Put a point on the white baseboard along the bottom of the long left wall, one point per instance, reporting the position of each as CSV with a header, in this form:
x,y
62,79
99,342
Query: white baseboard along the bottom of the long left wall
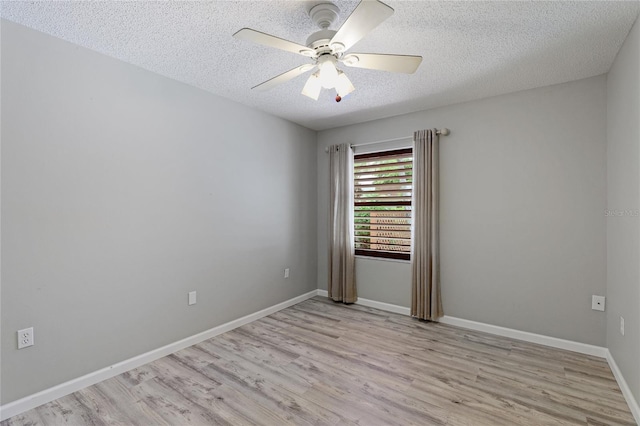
x,y
32,401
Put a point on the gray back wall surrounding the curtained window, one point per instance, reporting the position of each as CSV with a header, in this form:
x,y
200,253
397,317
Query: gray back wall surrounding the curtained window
x,y
523,191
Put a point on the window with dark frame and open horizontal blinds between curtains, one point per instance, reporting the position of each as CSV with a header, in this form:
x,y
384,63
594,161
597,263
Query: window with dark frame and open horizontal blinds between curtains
x,y
382,210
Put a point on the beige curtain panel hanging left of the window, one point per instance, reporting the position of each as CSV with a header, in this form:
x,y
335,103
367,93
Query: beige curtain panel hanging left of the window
x,y
342,284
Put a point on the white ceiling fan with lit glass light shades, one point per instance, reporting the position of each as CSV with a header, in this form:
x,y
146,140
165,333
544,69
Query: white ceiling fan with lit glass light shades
x,y
327,48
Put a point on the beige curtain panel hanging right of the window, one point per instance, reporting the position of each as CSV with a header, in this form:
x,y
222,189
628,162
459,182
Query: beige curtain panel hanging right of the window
x,y
425,251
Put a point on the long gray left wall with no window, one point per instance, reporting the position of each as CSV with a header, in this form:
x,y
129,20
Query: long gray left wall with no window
x,y
123,190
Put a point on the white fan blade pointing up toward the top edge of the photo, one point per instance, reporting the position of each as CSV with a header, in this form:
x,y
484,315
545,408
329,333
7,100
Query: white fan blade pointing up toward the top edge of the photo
x,y
365,17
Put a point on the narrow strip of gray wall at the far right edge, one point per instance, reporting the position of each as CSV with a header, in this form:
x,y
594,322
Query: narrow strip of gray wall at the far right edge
x,y
623,197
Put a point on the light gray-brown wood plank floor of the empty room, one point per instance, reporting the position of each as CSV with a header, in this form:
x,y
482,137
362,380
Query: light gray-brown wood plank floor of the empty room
x,y
329,364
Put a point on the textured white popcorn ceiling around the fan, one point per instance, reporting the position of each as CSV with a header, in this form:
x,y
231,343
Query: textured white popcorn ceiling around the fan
x,y
471,50
